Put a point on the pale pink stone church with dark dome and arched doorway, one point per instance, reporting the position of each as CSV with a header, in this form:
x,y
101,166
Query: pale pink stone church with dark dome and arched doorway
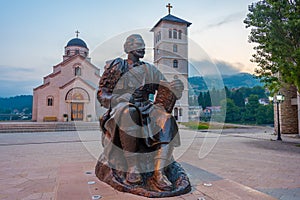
x,y
69,92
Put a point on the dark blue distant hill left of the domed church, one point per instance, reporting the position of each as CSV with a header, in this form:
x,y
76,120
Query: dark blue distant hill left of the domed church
x,y
20,103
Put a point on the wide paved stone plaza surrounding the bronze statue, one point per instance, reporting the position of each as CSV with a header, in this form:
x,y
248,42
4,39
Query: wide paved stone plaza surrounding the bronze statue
x,y
238,163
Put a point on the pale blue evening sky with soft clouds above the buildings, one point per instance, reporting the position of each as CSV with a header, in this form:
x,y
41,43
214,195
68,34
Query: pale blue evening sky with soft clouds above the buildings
x,y
34,33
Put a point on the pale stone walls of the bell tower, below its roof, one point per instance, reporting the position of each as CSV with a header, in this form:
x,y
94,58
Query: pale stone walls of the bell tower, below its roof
x,y
164,56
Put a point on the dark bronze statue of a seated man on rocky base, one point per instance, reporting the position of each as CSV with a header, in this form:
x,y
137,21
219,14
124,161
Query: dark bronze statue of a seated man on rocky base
x,y
138,134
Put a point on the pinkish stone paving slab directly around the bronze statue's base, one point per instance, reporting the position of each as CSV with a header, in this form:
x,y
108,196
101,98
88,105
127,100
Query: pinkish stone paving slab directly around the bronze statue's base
x,y
73,183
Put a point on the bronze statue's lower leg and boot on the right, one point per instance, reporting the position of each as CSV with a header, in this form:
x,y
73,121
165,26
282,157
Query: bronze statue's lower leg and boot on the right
x,y
162,159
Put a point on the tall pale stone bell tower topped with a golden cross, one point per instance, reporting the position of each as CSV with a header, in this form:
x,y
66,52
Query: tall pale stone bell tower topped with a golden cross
x,y
171,56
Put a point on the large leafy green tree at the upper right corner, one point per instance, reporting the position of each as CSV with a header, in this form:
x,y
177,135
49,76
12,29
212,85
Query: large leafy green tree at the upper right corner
x,y
275,27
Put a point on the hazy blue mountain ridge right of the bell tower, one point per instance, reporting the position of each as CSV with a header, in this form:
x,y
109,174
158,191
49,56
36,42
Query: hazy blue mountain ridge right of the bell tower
x,y
198,83
